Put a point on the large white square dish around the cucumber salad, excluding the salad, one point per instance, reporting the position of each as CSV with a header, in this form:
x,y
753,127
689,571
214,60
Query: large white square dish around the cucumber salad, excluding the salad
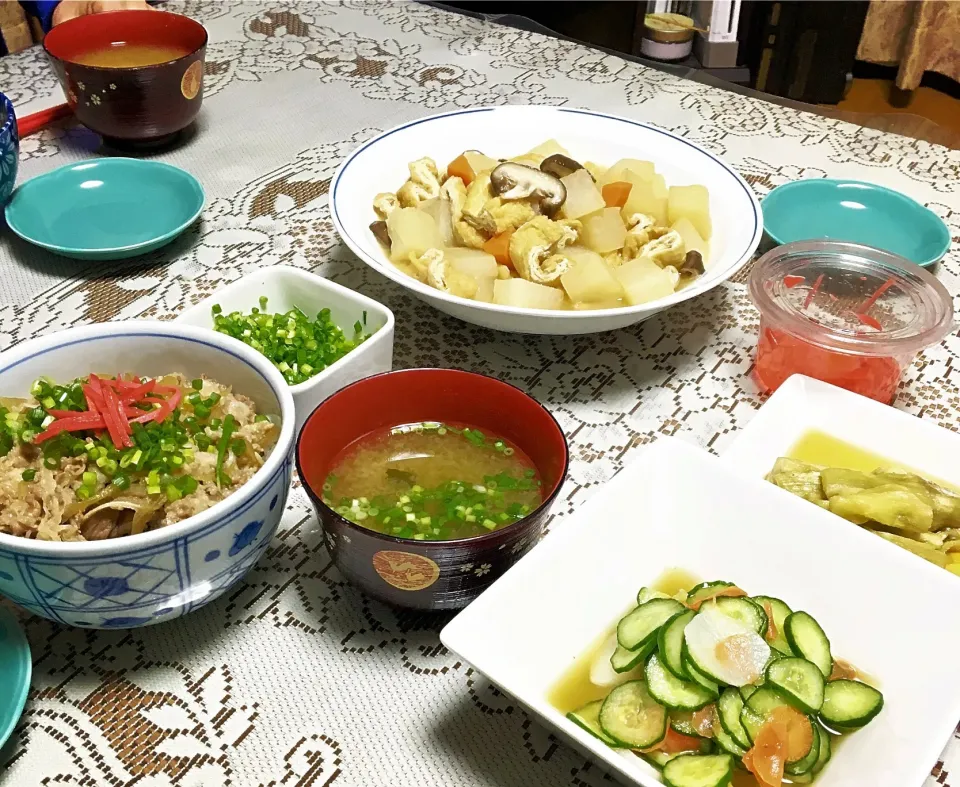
x,y
883,610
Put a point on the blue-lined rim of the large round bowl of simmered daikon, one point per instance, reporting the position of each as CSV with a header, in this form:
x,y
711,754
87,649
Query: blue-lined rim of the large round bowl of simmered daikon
x,y
672,300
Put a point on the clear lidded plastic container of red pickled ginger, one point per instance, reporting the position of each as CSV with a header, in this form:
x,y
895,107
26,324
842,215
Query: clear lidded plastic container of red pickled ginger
x,y
847,314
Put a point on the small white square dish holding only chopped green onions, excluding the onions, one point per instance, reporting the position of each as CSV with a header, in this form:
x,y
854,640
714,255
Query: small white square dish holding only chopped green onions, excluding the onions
x,y
286,288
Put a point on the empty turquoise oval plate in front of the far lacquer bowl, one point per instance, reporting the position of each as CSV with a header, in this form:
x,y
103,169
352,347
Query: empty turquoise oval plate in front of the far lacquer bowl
x,y
105,209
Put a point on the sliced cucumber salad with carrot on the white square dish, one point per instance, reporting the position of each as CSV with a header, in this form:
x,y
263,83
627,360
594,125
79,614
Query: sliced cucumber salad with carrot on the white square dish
x,y
711,681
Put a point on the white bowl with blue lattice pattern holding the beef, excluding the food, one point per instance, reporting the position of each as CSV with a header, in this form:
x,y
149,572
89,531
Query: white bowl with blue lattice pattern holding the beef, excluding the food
x,y
162,574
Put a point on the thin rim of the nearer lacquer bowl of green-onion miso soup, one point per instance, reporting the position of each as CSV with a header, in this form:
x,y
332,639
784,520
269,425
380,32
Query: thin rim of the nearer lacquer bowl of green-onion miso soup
x,y
457,542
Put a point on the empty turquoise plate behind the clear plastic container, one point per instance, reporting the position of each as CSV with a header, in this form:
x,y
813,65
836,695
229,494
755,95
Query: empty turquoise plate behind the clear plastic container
x,y
849,210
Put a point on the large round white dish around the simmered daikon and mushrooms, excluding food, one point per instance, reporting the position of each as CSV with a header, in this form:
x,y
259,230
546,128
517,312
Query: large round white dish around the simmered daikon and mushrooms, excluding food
x,y
381,165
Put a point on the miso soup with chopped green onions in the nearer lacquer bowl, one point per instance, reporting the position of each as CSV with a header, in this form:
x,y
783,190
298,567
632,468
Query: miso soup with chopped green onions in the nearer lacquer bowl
x,y
432,481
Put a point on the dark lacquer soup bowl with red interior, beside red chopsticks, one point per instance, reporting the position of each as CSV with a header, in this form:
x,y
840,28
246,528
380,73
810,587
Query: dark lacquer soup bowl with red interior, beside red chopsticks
x,y
144,104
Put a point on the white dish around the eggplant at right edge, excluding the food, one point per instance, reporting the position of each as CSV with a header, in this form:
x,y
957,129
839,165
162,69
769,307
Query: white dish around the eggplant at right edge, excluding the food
x,y
803,404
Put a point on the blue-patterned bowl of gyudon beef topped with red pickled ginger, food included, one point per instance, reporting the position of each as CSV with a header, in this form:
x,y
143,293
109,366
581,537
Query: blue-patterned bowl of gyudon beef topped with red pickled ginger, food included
x,y
143,470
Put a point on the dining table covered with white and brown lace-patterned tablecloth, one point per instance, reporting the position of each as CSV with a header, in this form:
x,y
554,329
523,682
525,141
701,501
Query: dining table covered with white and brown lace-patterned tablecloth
x,y
294,677
